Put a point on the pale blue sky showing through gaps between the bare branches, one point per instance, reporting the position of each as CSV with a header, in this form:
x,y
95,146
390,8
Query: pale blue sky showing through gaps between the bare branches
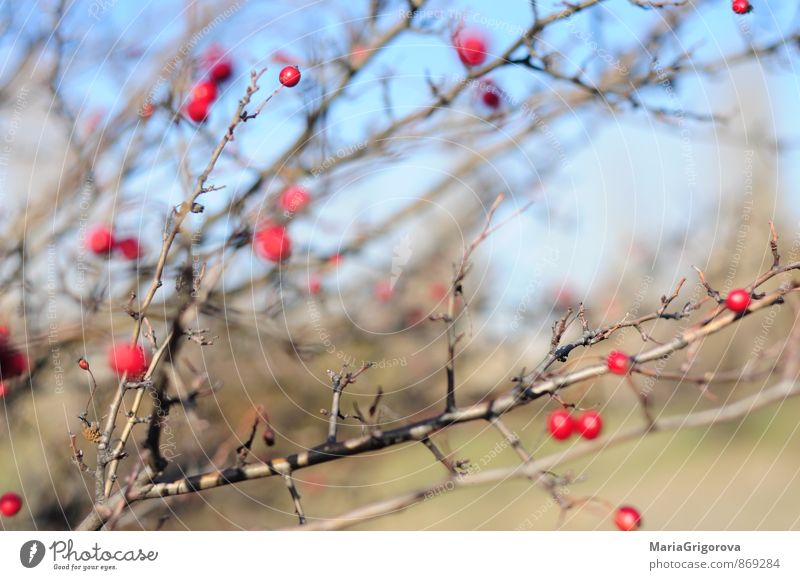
x,y
627,177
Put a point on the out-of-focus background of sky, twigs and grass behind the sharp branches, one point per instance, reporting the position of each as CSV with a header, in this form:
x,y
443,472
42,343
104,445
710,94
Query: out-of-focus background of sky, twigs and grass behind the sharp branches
x,y
646,140
